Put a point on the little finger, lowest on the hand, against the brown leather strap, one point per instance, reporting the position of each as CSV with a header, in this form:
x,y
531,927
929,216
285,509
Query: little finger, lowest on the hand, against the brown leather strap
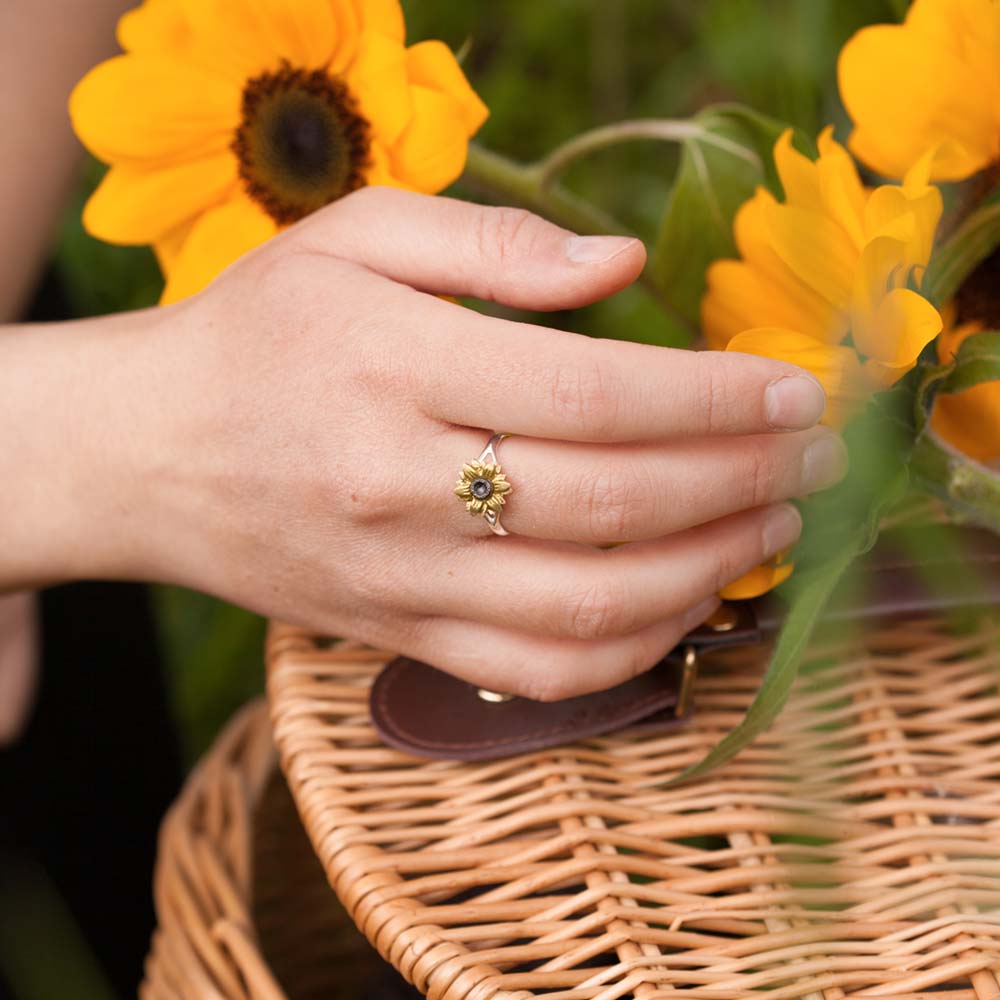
x,y
545,669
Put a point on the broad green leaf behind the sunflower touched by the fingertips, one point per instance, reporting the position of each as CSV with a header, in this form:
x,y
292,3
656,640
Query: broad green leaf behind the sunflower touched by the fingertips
x,y
727,157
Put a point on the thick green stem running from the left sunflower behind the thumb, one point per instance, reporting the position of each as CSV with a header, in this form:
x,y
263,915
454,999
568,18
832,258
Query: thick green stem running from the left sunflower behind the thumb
x,y
522,184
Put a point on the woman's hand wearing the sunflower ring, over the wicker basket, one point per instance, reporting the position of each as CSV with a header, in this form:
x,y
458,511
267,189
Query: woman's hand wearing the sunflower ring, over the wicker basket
x,y
290,440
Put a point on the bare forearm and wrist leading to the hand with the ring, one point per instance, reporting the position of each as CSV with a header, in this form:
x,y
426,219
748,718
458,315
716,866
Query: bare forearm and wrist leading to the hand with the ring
x,y
73,449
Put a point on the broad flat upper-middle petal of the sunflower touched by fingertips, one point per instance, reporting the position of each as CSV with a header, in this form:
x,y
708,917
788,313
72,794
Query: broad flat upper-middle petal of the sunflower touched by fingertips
x,y
815,249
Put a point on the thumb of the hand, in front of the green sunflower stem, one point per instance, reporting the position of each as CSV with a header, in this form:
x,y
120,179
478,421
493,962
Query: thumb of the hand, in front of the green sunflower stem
x,y
451,247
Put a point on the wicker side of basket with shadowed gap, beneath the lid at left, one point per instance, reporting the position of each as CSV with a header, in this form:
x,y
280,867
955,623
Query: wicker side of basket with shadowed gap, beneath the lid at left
x,y
244,910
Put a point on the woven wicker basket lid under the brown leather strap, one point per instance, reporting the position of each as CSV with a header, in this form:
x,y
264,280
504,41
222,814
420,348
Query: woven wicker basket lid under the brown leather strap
x,y
853,851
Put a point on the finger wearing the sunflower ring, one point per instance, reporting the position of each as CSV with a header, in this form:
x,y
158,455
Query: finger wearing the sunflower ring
x,y
598,494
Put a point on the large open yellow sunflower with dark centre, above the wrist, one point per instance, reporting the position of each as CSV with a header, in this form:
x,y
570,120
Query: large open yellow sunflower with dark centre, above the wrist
x,y
225,121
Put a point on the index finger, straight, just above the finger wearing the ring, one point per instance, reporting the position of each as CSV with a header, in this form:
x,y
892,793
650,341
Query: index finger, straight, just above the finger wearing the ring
x,y
526,379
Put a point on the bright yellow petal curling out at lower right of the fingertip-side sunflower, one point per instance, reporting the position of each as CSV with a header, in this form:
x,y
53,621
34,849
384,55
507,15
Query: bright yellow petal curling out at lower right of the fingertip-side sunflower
x,y
903,325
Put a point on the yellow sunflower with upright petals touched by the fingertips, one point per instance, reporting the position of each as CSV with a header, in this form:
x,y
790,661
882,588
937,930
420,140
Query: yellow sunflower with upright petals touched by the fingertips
x,y
827,280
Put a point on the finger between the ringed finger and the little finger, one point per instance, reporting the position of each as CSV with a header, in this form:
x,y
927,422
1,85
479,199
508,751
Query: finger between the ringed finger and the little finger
x,y
571,591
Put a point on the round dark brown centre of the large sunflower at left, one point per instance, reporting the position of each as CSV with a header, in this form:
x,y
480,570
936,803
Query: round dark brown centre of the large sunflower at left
x,y
301,143
